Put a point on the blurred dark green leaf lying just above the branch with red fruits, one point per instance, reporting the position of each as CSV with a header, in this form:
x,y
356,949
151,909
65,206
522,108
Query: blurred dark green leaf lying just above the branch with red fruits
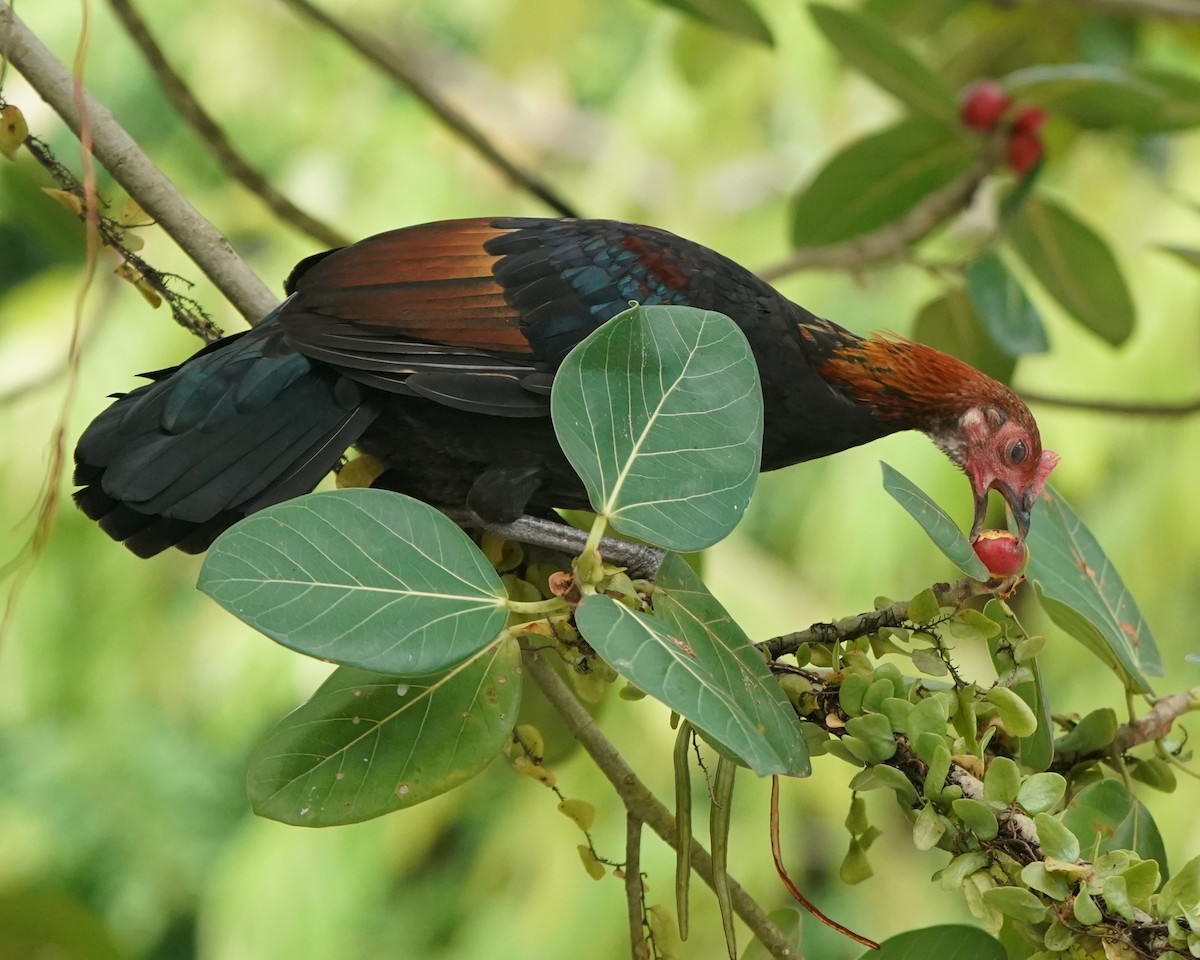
x,y
879,179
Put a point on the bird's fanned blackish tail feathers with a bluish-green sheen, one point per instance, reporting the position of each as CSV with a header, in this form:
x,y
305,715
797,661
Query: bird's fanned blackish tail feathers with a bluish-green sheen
x,y
242,425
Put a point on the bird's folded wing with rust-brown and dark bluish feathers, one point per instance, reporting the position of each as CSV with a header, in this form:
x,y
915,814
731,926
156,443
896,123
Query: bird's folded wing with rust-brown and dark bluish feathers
x,y
476,314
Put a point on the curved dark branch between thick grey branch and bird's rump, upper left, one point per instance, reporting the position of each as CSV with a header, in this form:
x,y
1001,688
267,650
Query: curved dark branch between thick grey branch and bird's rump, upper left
x,y
207,129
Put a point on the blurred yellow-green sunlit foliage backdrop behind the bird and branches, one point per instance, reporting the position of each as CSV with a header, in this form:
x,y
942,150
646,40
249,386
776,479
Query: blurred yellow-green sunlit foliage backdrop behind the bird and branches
x,y
130,704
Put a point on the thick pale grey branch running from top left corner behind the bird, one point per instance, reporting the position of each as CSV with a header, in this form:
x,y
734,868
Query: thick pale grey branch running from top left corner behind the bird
x,y
135,172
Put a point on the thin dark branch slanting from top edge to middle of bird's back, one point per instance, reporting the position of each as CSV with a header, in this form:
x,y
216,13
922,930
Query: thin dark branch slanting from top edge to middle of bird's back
x,y
395,64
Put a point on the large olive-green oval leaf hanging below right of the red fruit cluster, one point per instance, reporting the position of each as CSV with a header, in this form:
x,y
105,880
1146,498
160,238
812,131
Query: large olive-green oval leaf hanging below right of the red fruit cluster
x,y
1077,268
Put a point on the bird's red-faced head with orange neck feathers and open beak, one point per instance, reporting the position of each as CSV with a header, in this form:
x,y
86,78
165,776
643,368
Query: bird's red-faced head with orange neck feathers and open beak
x,y
979,423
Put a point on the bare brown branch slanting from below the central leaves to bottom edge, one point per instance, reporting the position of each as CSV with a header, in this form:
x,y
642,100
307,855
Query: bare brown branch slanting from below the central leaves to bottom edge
x,y
641,802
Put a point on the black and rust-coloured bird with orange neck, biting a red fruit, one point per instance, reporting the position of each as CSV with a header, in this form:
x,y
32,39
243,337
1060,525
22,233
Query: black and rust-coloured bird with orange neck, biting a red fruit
x,y
435,347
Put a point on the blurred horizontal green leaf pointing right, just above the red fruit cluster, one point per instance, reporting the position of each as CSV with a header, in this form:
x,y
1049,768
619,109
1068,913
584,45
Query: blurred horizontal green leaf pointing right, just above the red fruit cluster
x,y
1091,95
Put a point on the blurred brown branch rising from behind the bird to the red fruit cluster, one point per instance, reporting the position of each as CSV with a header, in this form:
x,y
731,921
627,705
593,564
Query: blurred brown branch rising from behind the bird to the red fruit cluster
x,y
893,241
